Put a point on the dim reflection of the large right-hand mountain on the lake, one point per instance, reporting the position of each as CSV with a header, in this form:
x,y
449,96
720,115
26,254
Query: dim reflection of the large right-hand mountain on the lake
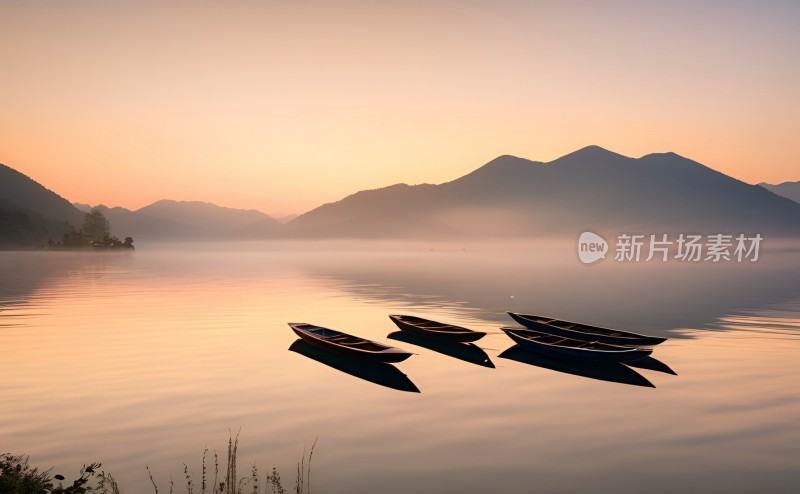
x,y
474,287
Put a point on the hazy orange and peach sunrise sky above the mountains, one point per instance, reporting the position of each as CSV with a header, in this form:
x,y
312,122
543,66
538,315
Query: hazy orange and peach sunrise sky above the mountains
x,y
283,106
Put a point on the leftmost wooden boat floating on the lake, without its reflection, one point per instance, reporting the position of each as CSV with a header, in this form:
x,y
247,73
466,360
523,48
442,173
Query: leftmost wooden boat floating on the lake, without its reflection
x,y
346,344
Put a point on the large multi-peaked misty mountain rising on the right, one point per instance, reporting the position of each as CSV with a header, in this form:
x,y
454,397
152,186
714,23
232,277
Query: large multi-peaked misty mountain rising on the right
x,y
591,188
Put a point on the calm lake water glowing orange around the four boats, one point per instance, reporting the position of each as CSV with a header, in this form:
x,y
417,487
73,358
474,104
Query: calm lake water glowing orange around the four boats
x,y
147,357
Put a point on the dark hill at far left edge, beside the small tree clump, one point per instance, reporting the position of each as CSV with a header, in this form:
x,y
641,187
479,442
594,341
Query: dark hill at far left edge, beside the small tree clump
x,y
31,214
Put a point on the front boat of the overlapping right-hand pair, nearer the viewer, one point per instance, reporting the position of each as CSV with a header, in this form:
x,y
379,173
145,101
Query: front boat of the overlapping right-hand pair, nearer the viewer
x,y
558,346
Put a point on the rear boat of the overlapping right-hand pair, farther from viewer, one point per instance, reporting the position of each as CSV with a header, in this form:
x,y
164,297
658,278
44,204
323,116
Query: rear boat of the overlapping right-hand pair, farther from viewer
x,y
584,332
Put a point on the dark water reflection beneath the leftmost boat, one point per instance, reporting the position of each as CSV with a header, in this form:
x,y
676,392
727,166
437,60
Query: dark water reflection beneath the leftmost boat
x,y
375,372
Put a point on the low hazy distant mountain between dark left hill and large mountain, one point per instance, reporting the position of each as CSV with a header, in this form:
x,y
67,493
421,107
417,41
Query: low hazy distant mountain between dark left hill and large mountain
x,y
168,220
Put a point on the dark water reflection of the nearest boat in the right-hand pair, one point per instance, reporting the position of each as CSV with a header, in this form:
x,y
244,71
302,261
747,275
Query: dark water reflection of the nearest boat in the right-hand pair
x,y
603,371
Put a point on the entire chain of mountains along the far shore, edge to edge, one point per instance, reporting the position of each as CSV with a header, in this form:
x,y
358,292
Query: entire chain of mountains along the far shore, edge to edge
x,y
591,188
